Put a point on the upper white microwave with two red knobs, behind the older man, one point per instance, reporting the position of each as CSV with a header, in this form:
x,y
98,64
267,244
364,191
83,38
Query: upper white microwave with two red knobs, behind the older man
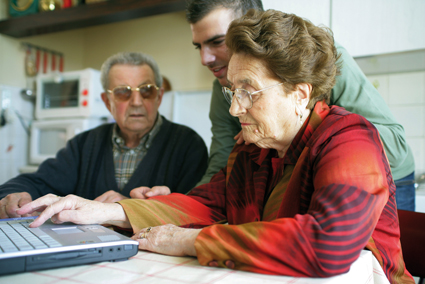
x,y
70,94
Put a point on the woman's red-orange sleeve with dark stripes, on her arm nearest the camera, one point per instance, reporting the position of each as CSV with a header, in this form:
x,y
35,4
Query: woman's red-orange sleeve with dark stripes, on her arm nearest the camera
x,y
350,192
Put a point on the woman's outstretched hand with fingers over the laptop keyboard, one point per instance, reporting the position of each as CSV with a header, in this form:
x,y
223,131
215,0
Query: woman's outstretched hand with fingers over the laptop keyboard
x,y
76,210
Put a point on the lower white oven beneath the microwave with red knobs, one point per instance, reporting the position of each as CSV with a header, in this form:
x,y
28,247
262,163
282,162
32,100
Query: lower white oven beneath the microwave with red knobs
x,y
50,135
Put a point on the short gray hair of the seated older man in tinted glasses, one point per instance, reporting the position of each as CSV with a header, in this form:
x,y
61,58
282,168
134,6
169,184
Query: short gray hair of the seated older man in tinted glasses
x,y
129,58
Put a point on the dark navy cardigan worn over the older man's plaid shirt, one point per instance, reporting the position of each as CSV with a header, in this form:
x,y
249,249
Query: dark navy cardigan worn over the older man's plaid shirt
x,y
177,158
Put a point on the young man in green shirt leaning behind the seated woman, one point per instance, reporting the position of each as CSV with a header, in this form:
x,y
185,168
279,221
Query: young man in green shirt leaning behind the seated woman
x,y
209,20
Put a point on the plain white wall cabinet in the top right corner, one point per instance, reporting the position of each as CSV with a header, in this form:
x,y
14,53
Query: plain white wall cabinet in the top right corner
x,y
370,27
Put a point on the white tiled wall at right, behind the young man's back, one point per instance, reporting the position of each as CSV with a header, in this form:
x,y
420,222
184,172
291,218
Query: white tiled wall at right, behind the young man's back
x,y
400,79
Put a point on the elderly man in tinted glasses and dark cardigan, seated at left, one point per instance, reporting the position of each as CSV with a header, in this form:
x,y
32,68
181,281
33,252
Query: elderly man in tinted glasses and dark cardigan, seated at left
x,y
123,159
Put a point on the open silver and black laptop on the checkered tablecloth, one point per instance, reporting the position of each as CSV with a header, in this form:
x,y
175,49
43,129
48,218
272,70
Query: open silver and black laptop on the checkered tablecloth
x,y
58,245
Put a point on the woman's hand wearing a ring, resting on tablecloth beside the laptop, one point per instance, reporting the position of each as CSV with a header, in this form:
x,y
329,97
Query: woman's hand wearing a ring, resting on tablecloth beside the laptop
x,y
168,239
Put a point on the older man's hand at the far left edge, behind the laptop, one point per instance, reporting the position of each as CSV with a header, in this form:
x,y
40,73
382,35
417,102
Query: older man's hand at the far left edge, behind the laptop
x,y
13,202
